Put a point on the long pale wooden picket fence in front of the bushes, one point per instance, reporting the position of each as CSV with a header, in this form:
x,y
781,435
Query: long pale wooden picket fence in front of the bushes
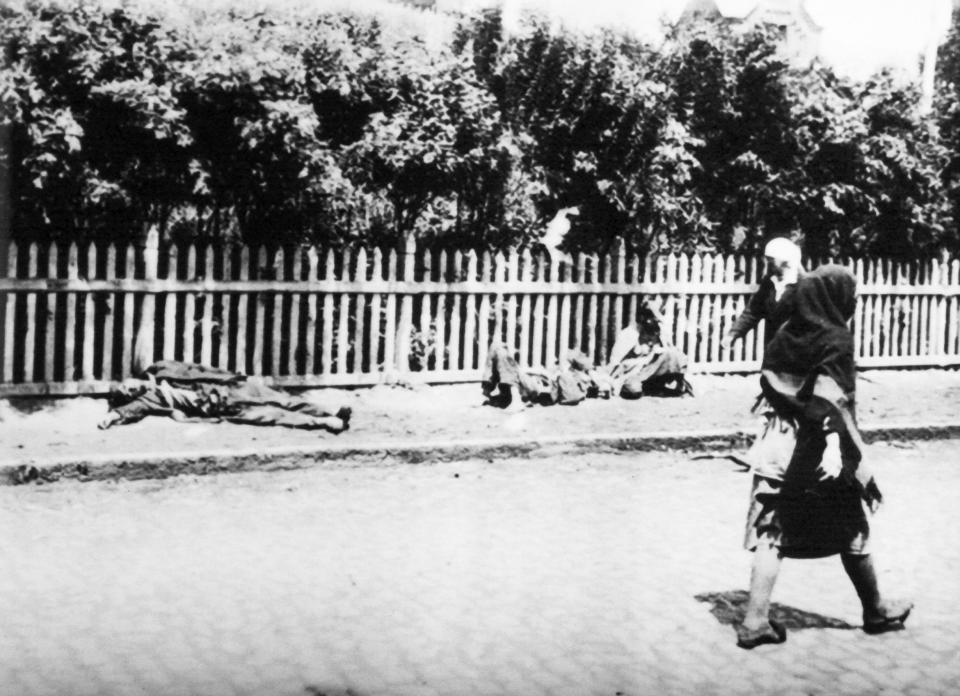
x,y
75,320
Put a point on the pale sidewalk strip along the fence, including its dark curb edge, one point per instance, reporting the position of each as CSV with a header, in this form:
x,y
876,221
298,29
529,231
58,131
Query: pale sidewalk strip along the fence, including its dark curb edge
x,y
61,438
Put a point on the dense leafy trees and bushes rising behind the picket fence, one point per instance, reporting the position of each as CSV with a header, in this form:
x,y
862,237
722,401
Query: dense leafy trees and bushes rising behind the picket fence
x,y
284,126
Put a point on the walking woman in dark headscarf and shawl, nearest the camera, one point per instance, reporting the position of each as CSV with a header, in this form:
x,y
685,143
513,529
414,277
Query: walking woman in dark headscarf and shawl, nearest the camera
x,y
812,492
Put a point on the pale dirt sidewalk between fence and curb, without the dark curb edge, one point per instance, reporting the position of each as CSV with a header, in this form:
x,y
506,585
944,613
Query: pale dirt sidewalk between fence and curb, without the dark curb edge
x,y
39,431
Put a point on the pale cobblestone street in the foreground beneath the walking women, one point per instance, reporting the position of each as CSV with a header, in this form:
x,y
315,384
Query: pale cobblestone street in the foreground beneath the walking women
x,y
601,574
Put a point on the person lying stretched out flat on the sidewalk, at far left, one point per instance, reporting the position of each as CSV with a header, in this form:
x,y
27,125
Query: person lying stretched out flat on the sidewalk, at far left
x,y
188,392
